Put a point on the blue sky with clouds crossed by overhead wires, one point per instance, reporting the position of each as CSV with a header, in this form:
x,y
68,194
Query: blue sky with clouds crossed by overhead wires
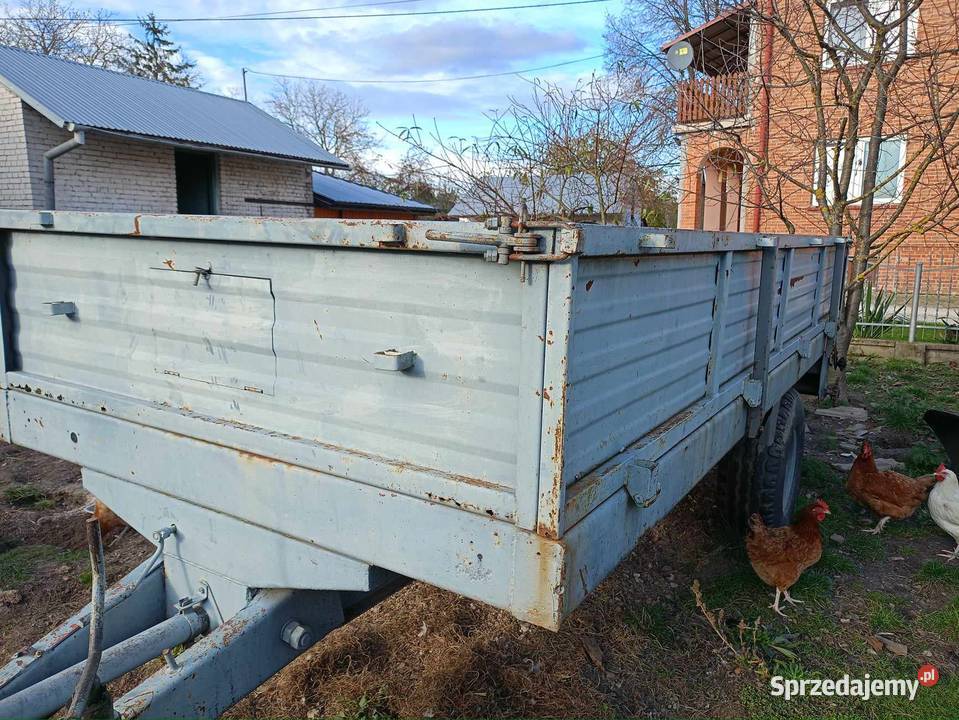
x,y
390,48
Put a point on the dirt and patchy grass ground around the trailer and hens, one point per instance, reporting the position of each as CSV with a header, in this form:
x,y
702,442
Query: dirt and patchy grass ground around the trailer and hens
x,y
640,645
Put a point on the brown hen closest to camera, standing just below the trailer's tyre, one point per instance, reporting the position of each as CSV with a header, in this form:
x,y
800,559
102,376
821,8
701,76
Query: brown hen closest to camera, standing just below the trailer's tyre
x,y
780,555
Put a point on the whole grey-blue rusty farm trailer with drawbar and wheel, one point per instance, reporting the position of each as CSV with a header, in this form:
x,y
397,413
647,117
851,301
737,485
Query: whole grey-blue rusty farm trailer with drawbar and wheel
x,y
305,414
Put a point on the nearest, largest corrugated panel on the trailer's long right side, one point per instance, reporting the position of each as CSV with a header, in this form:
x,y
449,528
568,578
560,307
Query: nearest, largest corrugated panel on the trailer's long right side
x,y
638,352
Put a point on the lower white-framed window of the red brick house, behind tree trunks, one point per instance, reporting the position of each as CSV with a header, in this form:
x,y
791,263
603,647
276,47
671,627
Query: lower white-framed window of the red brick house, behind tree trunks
x,y
889,175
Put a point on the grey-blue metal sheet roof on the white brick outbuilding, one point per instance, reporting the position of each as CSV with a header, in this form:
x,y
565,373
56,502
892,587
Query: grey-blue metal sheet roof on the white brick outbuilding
x,y
68,92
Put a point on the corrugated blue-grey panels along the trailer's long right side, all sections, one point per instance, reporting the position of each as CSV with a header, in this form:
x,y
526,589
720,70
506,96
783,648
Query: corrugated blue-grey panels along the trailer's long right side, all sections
x,y
641,337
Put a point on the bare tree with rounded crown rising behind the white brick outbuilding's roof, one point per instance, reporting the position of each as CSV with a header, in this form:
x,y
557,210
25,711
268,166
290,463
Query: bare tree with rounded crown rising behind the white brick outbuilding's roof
x,y
329,117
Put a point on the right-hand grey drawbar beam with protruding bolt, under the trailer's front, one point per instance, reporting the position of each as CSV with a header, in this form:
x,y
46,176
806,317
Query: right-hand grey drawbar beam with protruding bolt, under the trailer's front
x,y
238,656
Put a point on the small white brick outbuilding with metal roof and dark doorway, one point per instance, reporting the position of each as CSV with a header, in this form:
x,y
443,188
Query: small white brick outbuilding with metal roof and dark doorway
x,y
146,146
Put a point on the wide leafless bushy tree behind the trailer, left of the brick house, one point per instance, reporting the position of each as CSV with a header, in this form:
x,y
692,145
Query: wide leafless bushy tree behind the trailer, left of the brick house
x,y
563,152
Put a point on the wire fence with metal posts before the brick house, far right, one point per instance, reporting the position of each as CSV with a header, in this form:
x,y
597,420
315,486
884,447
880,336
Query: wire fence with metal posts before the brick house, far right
x,y
913,300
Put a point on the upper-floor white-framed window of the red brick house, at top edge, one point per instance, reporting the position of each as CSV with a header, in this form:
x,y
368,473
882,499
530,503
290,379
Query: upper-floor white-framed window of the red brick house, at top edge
x,y
852,37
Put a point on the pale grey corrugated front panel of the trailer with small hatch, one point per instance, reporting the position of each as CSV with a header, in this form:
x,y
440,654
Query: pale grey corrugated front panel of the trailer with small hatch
x,y
281,338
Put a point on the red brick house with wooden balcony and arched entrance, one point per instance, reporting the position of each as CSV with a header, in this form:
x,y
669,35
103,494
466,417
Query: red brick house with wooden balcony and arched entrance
x,y
719,115
